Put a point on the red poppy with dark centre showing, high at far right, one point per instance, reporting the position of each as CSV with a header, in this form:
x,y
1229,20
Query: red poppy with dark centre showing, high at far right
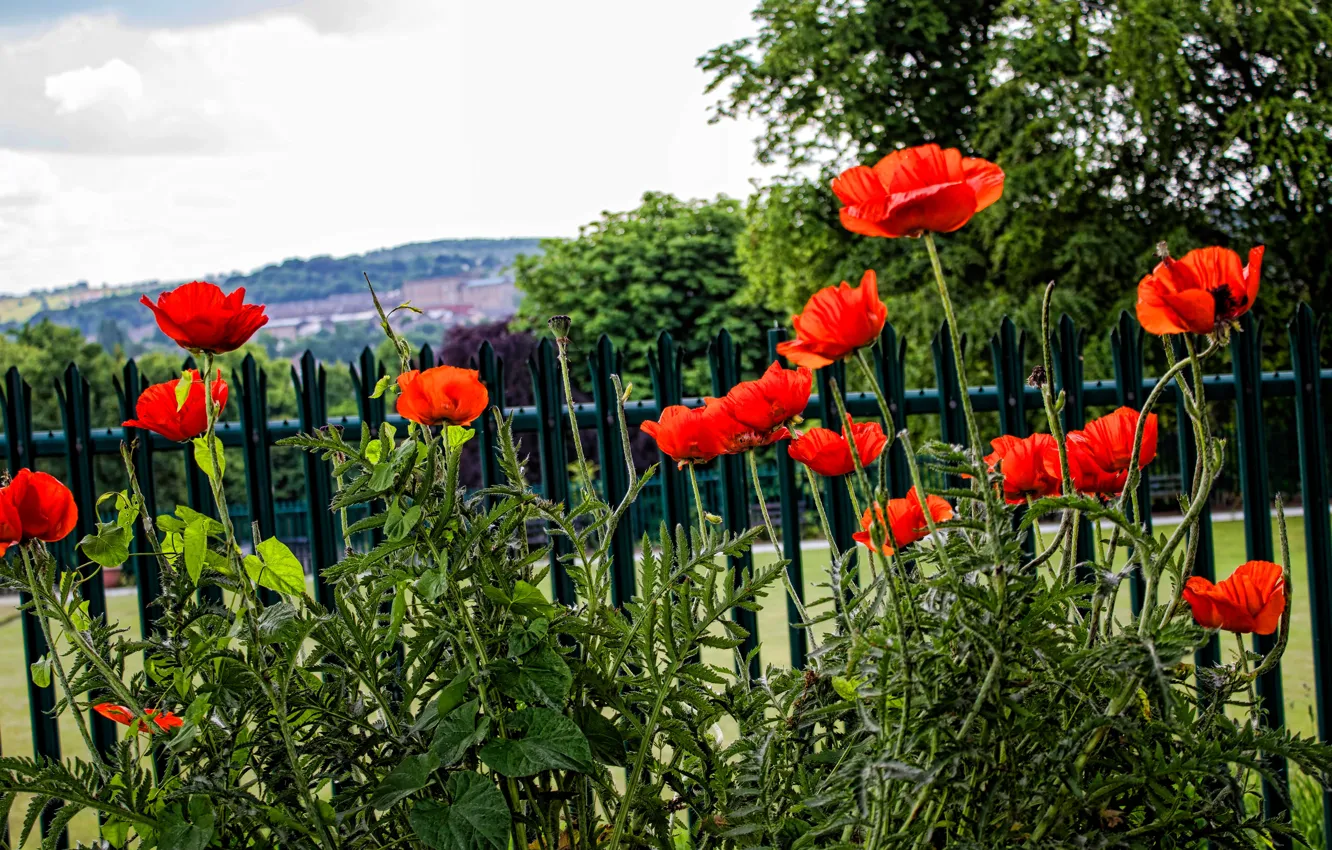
x,y
1202,294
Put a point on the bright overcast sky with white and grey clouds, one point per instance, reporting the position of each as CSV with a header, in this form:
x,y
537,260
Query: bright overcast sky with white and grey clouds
x,y
158,139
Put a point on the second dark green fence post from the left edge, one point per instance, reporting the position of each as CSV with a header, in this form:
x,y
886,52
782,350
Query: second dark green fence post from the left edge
x,y
74,395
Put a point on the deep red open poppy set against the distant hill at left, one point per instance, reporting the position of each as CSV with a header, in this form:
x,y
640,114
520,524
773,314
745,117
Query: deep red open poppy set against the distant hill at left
x,y
202,319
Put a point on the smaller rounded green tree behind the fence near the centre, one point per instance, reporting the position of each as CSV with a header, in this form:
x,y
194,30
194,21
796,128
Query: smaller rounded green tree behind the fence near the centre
x,y
667,266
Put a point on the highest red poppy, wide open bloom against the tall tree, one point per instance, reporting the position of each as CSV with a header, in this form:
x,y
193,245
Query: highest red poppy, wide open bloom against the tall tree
x,y
917,190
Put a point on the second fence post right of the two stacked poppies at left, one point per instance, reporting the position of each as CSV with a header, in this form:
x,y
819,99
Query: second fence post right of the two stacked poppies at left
x,y
312,410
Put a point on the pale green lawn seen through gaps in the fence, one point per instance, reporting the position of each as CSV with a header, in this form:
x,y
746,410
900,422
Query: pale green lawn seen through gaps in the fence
x,y
1297,667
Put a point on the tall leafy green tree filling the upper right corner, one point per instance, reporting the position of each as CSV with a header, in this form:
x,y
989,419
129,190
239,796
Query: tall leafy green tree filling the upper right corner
x,y
1120,125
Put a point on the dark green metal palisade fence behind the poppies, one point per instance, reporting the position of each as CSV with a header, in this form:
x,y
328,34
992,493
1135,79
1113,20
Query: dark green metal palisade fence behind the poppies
x,y
1006,404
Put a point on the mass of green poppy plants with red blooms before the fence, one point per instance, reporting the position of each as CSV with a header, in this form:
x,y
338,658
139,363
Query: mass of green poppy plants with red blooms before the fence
x,y
970,684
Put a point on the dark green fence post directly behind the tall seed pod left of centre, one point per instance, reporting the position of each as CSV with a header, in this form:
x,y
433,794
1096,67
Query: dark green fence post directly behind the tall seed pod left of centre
x,y
551,450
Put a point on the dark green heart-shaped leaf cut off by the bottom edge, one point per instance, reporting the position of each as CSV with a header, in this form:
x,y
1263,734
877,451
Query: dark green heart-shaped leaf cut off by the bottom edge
x,y
478,817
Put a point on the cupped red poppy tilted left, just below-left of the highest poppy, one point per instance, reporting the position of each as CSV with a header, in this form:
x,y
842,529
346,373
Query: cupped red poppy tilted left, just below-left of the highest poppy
x,y
836,322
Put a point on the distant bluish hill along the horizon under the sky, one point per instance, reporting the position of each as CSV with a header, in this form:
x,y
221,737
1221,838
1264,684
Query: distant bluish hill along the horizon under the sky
x,y
117,311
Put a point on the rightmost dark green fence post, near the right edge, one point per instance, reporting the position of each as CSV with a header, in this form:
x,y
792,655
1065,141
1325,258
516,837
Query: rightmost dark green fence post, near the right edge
x,y
1306,334
